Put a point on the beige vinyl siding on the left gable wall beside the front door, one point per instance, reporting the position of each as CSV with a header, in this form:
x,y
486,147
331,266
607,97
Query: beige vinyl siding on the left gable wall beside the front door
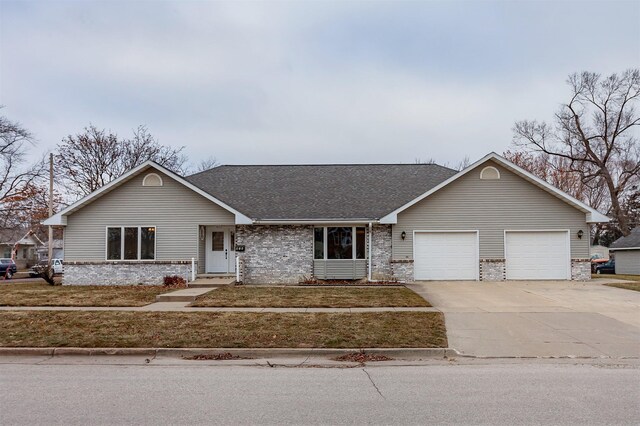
x,y
175,211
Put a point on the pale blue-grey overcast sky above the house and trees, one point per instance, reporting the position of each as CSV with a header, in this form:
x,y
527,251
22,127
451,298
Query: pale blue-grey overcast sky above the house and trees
x,y
305,82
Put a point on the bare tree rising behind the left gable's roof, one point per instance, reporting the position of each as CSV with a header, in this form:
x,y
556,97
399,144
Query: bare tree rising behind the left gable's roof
x,y
93,158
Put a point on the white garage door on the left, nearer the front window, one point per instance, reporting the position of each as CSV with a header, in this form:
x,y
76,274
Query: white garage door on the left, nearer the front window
x,y
446,256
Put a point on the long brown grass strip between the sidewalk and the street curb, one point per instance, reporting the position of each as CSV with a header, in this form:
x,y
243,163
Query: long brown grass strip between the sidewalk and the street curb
x,y
221,330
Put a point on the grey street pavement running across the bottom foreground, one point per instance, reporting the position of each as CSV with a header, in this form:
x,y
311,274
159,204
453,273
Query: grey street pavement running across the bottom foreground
x,y
118,390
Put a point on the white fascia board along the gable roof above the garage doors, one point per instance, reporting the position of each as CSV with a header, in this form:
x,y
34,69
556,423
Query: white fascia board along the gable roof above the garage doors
x,y
592,215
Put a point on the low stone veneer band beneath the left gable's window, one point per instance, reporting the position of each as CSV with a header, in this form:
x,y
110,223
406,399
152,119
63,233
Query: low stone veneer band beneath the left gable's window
x,y
123,273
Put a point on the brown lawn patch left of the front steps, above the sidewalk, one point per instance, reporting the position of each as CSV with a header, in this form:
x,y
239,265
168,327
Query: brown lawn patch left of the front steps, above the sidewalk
x,y
41,294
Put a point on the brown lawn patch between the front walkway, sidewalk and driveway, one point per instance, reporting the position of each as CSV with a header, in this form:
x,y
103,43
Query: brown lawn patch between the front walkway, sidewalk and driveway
x,y
310,297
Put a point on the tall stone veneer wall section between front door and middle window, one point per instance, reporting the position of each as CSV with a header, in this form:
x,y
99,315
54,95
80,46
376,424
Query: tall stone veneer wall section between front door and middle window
x,y
276,254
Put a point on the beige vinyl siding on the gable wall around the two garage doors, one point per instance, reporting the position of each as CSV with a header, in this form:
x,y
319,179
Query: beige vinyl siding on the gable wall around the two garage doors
x,y
490,207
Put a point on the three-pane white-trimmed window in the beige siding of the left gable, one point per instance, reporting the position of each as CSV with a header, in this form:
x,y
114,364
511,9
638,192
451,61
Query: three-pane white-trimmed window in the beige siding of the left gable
x,y
131,243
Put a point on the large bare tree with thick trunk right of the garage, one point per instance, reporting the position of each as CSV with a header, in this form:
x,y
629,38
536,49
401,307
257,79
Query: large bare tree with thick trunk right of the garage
x,y
595,134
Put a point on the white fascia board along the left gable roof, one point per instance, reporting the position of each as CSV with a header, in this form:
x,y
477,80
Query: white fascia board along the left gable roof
x,y
59,219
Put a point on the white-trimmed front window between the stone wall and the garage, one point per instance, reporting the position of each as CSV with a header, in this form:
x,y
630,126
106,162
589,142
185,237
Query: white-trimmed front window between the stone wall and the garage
x,y
339,242
